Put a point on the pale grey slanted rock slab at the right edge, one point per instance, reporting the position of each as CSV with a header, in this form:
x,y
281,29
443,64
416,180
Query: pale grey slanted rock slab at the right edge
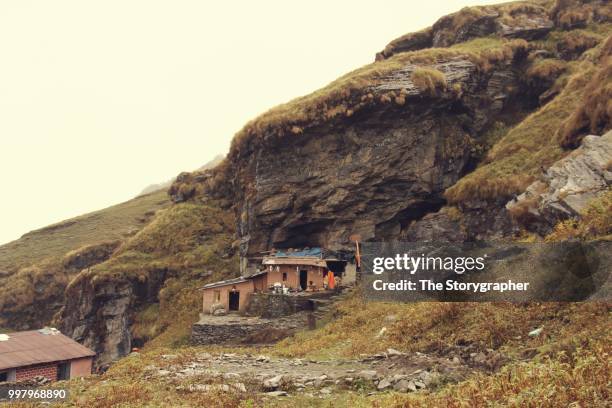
x,y
567,186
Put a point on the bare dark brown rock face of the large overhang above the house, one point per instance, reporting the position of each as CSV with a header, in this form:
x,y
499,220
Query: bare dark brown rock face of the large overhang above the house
x,y
373,173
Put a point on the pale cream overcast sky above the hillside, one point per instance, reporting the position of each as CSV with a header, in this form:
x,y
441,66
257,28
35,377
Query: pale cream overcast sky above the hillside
x,y
99,99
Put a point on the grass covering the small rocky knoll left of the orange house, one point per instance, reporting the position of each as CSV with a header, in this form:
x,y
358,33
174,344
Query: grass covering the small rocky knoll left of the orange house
x,y
193,244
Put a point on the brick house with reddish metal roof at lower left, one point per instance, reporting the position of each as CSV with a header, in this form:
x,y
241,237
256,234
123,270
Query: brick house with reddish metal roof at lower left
x,y
46,352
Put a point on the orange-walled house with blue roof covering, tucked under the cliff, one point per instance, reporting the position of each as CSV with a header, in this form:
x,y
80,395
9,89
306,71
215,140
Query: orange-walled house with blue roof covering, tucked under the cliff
x,y
297,271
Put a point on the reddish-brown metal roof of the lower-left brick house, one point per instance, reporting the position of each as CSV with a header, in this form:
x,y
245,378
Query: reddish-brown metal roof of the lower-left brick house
x,y
34,347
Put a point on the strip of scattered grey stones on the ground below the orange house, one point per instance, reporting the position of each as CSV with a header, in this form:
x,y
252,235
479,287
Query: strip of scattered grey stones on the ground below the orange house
x,y
279,377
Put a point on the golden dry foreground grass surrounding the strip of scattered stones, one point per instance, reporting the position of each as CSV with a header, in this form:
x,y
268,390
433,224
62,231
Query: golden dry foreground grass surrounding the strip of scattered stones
x,y
571,363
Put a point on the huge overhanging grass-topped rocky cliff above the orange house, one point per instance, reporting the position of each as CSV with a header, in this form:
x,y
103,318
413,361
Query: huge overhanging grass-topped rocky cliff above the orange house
x,y
376,153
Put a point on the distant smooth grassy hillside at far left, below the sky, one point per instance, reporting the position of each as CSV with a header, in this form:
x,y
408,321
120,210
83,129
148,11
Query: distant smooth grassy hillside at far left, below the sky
x,y
37,267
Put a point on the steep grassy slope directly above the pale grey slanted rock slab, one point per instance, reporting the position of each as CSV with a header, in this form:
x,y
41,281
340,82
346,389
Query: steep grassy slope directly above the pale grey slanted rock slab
x,y
581,107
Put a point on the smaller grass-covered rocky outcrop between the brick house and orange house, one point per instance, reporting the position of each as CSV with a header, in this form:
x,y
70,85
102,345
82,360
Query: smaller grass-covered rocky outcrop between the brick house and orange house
x,y
149,286
